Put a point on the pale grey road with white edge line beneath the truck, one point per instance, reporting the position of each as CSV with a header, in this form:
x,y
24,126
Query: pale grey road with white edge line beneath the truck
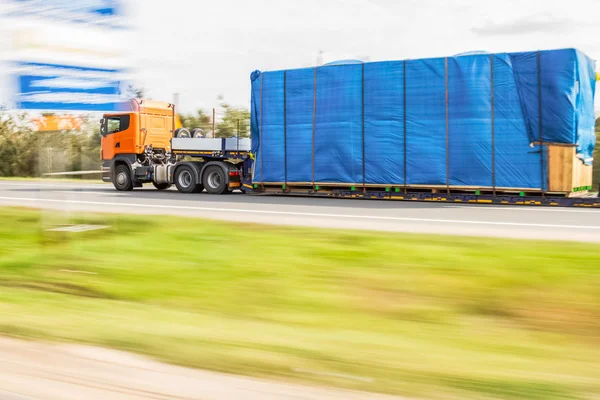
x,y
525,222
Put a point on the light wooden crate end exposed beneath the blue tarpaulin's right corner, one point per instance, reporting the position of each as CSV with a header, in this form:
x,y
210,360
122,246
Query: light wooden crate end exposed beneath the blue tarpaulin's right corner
x,y
566,172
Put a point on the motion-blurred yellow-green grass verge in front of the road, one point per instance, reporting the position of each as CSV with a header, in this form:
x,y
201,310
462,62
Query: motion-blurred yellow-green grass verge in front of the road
x,y
419,315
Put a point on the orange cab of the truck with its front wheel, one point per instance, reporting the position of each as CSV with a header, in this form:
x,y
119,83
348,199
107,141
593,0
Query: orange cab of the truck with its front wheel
x,y
137,137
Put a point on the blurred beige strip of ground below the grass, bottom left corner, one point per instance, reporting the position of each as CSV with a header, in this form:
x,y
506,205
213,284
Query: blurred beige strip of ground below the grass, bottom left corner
x,y
42,371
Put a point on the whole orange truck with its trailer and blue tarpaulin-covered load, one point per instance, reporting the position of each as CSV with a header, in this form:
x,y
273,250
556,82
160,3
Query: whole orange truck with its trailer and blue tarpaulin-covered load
x,y
483,128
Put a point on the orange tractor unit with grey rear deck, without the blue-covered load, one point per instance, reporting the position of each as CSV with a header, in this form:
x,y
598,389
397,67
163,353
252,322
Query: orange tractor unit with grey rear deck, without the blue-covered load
x,y
149,145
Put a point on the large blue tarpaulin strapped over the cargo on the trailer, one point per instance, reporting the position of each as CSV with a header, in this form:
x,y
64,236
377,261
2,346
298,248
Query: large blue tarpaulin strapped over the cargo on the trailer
x,y
480,120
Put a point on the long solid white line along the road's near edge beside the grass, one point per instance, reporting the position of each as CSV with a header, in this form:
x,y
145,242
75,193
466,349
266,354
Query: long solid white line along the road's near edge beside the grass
x,y
300,214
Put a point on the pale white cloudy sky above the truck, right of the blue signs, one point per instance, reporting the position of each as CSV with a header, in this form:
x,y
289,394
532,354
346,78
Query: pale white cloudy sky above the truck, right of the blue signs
x,y
203,50
